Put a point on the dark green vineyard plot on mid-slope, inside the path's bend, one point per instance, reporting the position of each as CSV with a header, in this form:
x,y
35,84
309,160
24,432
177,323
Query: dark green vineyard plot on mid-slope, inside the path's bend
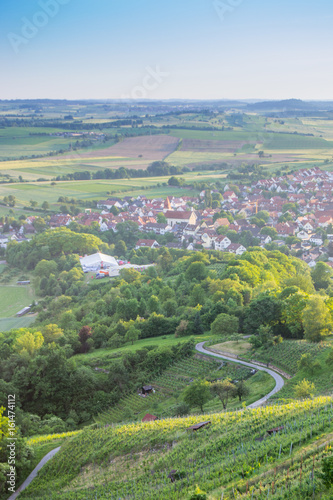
x,y
168,388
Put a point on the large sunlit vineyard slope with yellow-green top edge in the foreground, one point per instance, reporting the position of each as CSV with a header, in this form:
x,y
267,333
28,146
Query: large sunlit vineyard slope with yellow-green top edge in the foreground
x,y
235,457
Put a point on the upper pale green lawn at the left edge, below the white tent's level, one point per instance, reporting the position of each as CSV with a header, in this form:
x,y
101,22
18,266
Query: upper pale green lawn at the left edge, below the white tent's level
x,y
14,298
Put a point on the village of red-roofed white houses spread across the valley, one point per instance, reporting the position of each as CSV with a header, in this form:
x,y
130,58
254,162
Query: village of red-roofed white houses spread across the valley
x,y
293,213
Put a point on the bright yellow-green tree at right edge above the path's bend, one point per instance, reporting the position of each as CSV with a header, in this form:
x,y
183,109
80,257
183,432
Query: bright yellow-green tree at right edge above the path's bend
x,y
317,320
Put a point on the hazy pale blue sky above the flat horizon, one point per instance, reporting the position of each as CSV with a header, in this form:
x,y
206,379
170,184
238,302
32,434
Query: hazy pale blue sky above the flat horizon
x,y
161,49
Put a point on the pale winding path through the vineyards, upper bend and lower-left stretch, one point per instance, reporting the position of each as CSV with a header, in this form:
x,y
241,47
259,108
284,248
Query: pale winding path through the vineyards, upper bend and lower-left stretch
x,y
279,383
